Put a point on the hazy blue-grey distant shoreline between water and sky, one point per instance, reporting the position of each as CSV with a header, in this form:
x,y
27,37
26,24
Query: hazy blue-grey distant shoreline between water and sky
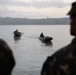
x,y
26,21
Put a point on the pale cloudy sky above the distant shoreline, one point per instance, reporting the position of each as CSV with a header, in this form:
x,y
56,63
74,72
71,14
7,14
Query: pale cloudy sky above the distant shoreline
x,y
35,8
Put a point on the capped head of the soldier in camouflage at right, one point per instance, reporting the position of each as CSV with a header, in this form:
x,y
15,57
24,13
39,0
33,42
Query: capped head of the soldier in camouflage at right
x,y
72,14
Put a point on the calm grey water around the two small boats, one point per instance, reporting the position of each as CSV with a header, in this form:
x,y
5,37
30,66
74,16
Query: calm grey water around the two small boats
x,y
29,52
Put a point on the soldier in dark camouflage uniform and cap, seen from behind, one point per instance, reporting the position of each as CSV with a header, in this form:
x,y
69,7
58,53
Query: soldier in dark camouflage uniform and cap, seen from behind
x,y
63,62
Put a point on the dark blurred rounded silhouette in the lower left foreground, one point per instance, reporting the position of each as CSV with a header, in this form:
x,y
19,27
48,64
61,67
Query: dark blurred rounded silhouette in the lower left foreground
x,y
7,61
